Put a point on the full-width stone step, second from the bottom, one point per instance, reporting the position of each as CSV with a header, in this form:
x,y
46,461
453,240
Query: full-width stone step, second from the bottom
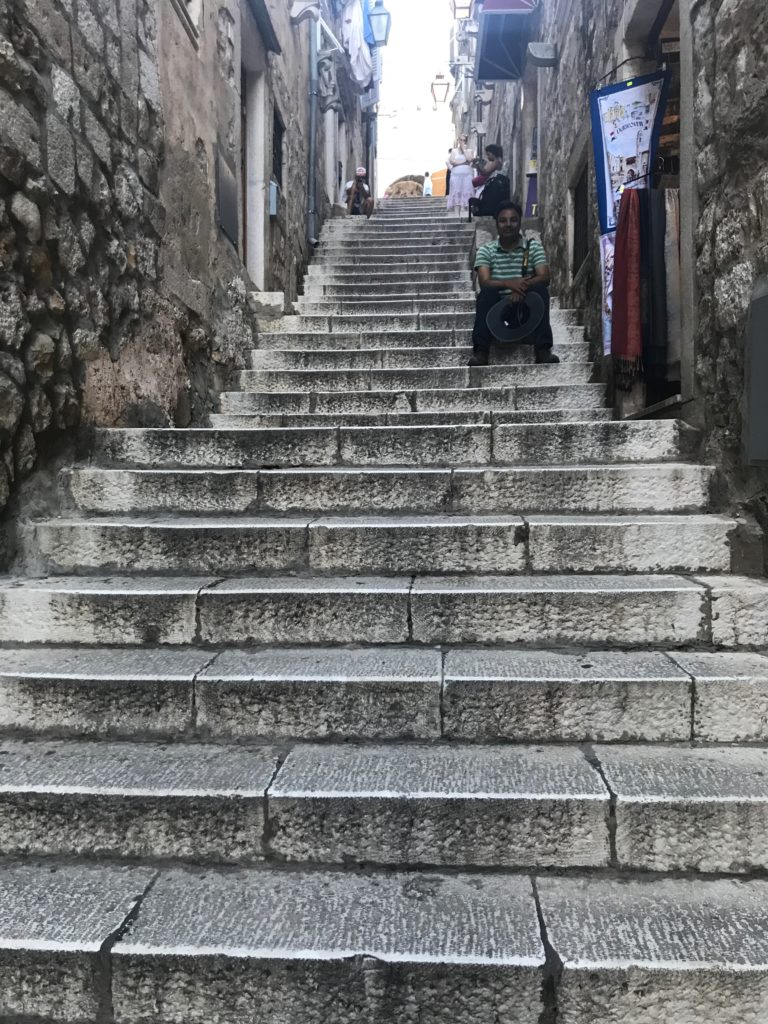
x,y
675,808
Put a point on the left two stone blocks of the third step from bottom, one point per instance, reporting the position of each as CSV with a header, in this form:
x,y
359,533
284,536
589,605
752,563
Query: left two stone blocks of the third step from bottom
x,y
268,694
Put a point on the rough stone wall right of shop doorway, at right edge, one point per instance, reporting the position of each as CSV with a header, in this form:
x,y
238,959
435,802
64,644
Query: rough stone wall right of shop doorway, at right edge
x,y
732,143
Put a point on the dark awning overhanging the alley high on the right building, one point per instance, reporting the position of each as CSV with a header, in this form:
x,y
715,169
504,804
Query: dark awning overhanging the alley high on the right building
x,y
505,31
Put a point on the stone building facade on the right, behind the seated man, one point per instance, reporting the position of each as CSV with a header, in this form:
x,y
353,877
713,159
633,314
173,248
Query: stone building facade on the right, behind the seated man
x,y
525,71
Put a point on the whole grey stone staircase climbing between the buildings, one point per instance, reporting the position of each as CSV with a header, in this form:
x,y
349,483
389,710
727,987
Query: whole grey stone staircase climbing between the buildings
x,y
406,692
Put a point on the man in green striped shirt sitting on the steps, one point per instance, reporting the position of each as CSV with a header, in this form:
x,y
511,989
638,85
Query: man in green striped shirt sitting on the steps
x,y
513,268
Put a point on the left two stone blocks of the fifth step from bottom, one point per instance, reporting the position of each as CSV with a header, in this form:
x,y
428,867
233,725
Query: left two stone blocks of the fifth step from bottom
x,y
387,545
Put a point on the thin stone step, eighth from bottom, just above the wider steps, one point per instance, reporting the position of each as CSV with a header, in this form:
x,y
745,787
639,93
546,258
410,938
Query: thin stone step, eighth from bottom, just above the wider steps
x,y
224,421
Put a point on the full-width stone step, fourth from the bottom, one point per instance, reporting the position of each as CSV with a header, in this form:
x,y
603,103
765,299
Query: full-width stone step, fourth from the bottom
x,y
612,611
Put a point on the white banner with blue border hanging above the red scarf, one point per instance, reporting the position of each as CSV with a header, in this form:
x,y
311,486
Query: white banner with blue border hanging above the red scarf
x,y
626,125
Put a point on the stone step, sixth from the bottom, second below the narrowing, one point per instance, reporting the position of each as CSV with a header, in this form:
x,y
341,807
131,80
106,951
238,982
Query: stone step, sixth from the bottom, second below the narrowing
x,y
638,488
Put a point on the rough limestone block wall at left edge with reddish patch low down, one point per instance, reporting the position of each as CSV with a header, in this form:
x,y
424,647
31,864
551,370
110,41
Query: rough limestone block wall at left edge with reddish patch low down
x,y
89,331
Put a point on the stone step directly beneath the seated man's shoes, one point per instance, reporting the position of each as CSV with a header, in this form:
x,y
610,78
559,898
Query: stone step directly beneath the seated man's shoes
x,y
405,379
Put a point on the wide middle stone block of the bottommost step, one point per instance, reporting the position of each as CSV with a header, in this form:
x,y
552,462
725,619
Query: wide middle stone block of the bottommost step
x,y
278,947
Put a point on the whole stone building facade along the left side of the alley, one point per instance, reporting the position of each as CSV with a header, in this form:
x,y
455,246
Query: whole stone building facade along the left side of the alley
x,y
162,163
